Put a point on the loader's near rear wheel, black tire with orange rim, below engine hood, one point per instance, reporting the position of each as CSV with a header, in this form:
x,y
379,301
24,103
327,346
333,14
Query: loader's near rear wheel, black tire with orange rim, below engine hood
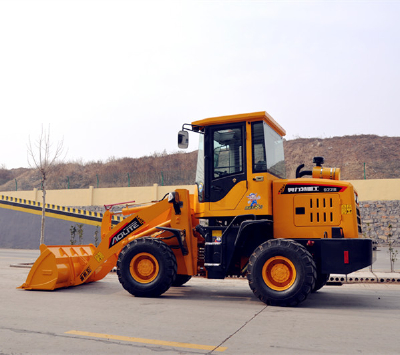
x,y
281,272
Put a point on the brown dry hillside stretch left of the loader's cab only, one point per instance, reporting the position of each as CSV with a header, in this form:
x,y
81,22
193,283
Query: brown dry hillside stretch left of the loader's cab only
x,y
167,169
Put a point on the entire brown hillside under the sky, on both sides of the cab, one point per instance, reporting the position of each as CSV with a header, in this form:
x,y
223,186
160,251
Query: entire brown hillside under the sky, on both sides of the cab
x,y
379,155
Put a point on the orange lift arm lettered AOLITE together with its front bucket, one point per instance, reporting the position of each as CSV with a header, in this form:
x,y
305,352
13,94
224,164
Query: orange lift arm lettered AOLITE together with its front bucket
x,y
64,266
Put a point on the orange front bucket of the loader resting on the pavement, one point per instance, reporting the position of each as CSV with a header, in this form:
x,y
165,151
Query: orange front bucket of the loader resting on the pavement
x,y
59,266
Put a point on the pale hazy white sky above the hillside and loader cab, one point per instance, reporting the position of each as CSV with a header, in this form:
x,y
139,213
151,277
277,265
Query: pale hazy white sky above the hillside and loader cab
x,y
114,79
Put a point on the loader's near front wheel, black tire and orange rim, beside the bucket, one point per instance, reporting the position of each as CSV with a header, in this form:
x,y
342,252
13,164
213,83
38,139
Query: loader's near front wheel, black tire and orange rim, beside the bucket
x,y
146,267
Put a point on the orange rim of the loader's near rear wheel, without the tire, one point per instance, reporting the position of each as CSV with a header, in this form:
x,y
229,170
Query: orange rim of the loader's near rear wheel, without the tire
x,y
279,273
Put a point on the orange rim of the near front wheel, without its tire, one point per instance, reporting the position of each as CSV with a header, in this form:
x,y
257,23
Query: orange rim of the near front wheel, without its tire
x,y
144,268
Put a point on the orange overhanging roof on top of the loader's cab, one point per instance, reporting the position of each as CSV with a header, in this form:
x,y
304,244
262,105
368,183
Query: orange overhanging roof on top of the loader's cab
x,y
244,117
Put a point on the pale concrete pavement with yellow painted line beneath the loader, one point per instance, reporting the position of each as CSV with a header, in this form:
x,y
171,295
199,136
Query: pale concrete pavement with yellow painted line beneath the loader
x,y
204,317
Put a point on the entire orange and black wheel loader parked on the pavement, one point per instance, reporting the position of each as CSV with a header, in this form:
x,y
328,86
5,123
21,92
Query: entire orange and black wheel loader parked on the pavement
x,y
245,219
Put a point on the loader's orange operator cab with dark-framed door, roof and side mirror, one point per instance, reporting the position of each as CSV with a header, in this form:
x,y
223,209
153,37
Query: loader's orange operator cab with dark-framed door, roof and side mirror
x,y
238,157
